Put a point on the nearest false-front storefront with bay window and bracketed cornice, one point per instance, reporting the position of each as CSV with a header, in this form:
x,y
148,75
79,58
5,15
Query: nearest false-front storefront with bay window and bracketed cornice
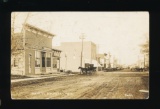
x,y
36,54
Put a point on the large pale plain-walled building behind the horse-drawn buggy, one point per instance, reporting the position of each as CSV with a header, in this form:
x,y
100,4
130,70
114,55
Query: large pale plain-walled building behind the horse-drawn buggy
x,y
71,55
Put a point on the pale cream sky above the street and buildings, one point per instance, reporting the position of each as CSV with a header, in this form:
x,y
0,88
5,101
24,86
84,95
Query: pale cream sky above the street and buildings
x,y
117,33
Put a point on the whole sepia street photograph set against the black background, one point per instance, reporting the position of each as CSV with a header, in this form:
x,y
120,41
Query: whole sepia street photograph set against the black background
x,y
80,55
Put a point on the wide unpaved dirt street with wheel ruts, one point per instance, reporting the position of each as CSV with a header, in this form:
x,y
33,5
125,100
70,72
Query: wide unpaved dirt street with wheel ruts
x,y
102,85
